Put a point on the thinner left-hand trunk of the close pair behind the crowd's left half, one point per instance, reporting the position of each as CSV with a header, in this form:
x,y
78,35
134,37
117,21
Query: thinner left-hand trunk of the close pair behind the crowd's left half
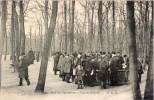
x,y
65,23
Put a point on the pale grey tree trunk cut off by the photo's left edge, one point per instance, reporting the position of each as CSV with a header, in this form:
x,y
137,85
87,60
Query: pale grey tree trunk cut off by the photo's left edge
x,y
3,30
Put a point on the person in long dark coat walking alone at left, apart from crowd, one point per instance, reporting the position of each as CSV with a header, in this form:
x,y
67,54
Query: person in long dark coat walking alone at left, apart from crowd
x,y
23,69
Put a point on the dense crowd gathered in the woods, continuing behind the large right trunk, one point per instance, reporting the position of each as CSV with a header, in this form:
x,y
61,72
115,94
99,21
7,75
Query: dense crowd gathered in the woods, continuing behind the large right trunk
x,y
90,69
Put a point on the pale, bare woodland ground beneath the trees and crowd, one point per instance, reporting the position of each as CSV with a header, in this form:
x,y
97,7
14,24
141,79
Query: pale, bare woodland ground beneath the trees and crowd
x,y
56,89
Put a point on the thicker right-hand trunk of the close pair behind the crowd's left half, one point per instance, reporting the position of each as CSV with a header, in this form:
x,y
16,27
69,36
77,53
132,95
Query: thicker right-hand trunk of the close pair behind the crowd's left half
x,y
72,28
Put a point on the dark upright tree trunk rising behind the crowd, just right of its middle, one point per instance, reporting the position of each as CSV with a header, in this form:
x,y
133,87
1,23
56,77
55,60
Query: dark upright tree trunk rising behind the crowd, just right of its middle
x,y
100,23
